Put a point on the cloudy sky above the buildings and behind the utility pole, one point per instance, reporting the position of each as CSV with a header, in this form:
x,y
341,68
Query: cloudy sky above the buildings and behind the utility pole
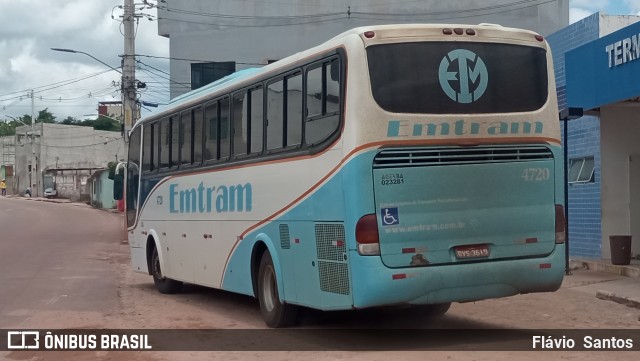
x,y
28,29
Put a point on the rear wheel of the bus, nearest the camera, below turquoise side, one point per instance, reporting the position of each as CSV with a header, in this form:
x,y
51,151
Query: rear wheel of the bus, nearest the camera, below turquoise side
x,y
276,314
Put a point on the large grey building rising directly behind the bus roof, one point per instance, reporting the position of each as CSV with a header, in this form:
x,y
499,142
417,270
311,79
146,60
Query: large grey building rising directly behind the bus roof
x,y
213,38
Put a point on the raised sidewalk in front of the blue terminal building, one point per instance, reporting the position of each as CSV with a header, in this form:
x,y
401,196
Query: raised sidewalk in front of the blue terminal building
x,y
616,283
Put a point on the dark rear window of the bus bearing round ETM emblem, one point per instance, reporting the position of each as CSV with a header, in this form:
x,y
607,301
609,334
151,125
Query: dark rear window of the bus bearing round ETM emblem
x,y
458,77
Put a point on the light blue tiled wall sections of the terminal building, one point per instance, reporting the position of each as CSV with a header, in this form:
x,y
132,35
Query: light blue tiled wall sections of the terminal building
x,y
584,141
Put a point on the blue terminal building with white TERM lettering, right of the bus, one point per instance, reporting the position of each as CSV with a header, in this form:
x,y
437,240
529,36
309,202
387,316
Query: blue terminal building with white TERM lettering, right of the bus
x,y
597,62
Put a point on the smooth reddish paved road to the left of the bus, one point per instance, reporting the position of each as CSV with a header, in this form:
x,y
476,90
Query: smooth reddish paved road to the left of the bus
x,y
54,259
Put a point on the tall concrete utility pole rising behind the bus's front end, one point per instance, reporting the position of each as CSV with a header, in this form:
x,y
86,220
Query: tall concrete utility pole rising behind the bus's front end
x,y
129,92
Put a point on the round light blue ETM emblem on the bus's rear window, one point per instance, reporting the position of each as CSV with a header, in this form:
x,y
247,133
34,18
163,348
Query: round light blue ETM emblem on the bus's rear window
x,y
472,76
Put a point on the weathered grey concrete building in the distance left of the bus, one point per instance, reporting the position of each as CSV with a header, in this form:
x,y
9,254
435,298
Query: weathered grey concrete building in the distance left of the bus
x,y
62,157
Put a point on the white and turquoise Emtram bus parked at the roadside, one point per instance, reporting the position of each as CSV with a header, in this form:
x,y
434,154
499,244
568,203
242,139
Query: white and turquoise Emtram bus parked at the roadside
x,y
400,164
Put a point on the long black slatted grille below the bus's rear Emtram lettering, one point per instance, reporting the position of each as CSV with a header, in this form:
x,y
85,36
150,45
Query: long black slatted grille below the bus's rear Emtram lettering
x,y
420,157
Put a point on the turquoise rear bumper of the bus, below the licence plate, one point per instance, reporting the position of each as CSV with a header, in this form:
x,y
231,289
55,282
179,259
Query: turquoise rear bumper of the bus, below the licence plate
x,y
374,284
